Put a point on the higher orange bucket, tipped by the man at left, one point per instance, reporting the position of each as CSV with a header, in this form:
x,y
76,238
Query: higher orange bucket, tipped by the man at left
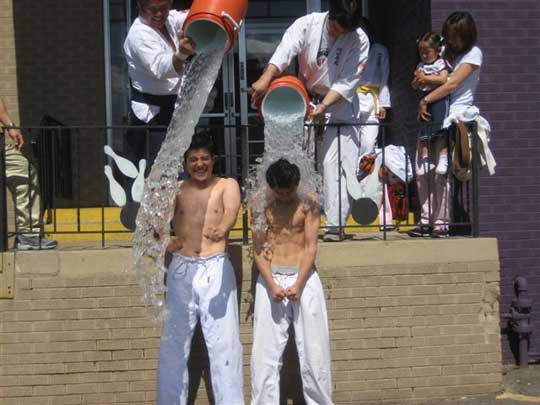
x,y
214,24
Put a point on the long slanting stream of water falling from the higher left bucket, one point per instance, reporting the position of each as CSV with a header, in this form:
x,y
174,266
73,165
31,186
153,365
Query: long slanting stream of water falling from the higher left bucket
x,y
161,187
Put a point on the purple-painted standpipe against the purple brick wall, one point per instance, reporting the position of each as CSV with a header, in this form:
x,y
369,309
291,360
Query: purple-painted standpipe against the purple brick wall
x,y
519,319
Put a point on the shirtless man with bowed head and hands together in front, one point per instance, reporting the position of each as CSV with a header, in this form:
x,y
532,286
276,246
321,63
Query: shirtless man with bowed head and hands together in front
x,y
289,290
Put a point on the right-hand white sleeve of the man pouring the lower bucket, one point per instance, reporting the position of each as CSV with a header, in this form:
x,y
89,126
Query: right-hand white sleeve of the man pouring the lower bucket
x,y
355,60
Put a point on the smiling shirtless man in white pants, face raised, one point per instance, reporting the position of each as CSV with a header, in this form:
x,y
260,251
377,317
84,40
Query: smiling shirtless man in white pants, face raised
x,y
201,282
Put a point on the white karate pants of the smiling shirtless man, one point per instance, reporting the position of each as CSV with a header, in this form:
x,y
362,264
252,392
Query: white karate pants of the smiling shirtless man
x,y
205,289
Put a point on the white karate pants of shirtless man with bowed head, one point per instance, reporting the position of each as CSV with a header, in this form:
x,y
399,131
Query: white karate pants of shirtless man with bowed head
x,y
271,324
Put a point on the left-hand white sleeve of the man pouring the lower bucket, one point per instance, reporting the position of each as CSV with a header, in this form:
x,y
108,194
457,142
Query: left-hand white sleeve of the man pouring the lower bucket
x,y
291,44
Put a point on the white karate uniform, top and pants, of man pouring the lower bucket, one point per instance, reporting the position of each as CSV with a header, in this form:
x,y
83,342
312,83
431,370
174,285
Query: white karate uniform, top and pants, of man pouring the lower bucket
x,y
340,71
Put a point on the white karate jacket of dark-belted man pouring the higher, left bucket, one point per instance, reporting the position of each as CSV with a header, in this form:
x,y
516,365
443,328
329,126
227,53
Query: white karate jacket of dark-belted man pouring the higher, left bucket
x,y
149,60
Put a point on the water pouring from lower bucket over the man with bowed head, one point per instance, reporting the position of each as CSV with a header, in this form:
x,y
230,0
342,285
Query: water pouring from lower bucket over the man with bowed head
x,y
283,134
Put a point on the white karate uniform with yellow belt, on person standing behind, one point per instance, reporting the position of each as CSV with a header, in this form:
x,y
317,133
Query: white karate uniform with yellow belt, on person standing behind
x,y
373,94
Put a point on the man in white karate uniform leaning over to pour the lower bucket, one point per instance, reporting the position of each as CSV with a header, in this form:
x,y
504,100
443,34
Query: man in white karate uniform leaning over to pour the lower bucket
x,y
332,51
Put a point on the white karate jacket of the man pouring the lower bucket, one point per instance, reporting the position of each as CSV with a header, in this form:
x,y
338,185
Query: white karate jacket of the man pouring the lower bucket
x,y
340,71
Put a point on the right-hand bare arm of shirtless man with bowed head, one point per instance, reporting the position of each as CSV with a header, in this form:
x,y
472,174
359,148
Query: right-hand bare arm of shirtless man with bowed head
x,y
307,262
